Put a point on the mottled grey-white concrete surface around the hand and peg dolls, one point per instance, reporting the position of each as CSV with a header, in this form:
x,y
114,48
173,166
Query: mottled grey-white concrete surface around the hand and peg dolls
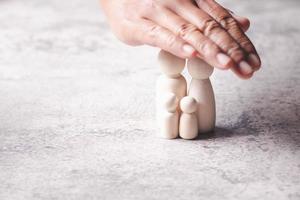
x,y
77,112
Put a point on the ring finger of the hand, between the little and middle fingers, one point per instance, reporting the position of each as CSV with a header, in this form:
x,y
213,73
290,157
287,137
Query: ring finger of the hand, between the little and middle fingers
x,y
206,48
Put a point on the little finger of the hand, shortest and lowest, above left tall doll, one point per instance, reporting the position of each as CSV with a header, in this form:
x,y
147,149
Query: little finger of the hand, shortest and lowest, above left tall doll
x,y
153,34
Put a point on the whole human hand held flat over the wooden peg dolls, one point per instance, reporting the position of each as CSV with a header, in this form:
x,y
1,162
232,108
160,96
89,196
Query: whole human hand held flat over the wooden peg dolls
x,y
186,28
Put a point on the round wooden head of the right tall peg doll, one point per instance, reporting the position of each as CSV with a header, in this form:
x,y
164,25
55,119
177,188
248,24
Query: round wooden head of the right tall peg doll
x,y
199,69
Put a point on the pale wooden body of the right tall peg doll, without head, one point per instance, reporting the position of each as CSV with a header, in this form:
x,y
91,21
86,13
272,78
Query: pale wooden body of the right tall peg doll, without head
x,y
202,91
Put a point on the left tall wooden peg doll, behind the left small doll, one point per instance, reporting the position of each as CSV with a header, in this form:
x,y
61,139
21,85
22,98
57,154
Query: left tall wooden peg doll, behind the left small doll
x,y
171,81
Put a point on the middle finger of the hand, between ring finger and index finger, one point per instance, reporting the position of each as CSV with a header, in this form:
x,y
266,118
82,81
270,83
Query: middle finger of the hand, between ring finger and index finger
x,y
212,30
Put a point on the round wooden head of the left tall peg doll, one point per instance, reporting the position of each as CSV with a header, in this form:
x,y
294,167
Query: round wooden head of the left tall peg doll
x,y
170,65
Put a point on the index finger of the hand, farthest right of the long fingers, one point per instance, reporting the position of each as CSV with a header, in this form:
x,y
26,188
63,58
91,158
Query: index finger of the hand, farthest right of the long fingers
x,y
225,19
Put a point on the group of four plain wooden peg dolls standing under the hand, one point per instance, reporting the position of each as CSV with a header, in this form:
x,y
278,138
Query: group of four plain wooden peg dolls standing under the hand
x,y
181,110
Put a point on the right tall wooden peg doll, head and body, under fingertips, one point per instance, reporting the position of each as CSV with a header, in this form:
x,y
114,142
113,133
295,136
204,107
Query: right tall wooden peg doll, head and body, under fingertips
x,y
201,89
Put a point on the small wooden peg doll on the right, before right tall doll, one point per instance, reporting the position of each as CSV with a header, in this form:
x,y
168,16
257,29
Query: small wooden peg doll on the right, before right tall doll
x,y
188,124
